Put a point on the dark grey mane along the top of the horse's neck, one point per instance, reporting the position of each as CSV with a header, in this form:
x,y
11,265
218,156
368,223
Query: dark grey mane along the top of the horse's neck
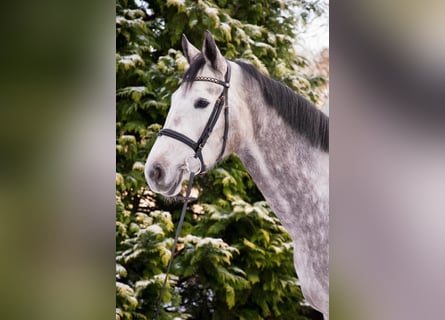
x,y
298,112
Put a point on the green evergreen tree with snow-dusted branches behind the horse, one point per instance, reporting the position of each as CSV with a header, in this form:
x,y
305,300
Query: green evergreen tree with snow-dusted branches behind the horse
x,y
234,260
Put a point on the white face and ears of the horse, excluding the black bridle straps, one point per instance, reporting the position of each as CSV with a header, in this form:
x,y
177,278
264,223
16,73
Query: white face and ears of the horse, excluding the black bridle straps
x,y
191,106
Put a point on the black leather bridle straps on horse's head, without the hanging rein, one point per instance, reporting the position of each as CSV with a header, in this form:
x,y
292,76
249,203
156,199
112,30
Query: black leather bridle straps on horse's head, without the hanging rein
x,y
219,104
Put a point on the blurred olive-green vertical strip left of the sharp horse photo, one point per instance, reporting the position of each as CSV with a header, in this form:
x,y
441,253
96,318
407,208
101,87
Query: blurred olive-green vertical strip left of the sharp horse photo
x,y
57,151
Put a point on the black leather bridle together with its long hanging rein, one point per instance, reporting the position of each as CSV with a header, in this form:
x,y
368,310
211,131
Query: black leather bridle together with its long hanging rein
x,y
197,146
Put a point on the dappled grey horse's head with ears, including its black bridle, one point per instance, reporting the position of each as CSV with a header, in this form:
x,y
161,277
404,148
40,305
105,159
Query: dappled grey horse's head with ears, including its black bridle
x,y
196,128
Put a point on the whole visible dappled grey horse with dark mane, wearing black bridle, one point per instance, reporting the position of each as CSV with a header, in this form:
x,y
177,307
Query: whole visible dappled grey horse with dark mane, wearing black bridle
x,y
280,137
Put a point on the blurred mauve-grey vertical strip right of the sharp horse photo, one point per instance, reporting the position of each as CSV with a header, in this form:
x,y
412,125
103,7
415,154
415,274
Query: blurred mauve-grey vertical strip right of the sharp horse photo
x,y
387,161
